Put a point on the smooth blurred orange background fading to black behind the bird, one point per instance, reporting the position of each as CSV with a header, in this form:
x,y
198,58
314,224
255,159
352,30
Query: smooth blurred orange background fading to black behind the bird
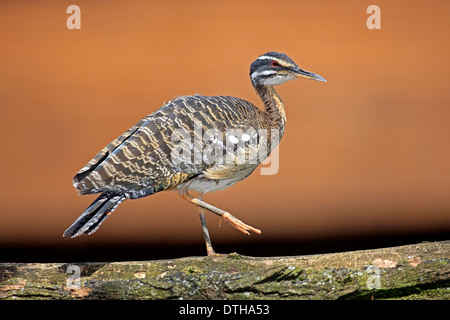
x,y
365,155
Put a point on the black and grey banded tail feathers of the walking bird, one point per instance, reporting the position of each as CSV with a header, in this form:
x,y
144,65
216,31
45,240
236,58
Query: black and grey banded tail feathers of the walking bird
x,y
89,221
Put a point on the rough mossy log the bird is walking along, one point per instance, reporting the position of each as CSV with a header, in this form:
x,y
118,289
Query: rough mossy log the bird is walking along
x,y
419,271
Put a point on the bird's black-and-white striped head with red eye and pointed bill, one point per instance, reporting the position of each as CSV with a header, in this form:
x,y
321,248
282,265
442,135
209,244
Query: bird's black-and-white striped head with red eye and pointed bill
x,y
275,68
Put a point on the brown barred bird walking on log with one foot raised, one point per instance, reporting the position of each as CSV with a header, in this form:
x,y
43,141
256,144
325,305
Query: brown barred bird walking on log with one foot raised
x,y
194,143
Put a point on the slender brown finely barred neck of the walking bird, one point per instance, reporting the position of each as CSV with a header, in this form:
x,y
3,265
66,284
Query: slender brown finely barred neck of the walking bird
x,y
274,107
